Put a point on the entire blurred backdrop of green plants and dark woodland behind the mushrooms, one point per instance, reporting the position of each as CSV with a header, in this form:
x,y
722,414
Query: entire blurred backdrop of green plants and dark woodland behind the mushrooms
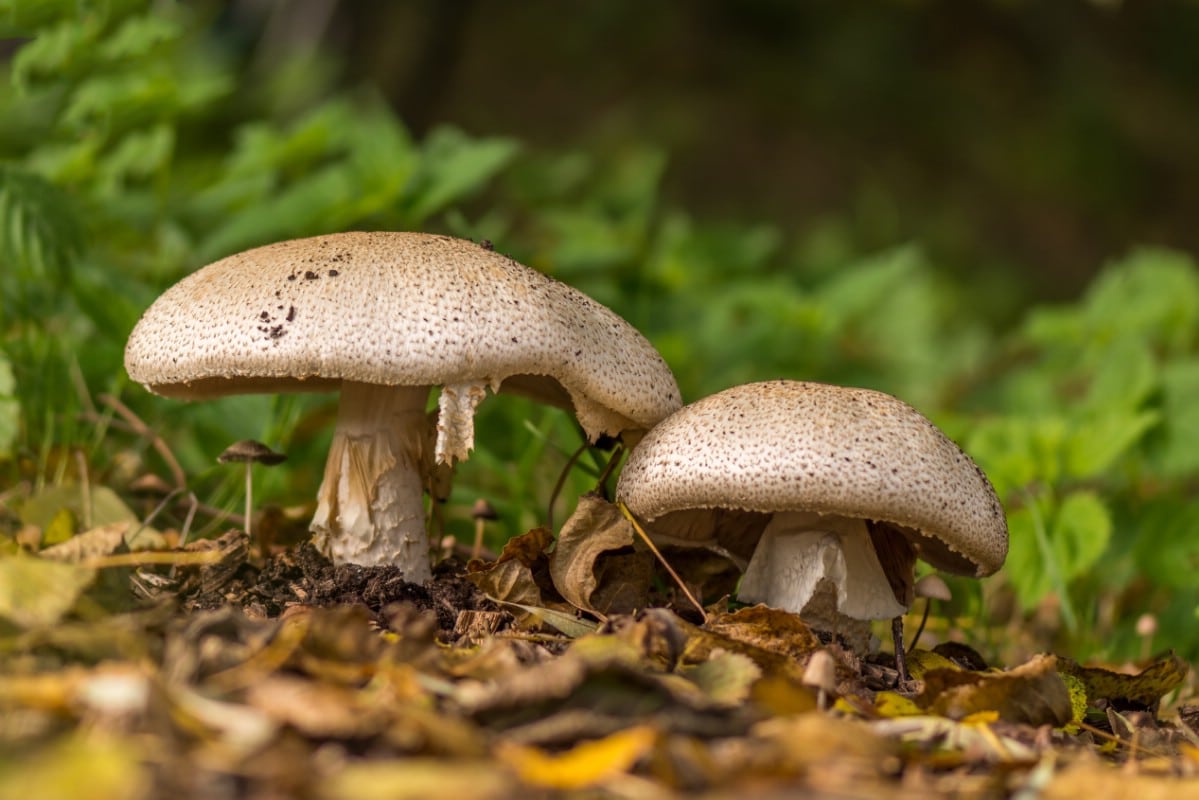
x,y
998,255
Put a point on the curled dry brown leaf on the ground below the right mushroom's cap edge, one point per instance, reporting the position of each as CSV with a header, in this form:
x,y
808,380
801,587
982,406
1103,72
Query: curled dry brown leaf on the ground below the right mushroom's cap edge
x,y
1033,694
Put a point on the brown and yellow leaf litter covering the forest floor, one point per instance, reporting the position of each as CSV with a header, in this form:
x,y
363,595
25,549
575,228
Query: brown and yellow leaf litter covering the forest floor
x,y
565,667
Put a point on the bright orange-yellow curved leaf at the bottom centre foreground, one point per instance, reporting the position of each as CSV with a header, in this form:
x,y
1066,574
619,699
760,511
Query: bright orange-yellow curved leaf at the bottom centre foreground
x,y
585,766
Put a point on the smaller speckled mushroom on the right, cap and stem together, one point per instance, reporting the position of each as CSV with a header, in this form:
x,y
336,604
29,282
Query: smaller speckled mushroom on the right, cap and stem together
x,y
830,494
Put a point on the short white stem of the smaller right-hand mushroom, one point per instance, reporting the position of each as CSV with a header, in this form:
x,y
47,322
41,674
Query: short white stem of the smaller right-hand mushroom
x,y
803,556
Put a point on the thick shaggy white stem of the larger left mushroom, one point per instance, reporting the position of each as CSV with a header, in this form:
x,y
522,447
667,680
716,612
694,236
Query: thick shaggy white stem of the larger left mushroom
x,y
371,507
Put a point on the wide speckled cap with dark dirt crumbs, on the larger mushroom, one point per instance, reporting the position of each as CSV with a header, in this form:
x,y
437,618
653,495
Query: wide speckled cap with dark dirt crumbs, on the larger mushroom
x,y
397,309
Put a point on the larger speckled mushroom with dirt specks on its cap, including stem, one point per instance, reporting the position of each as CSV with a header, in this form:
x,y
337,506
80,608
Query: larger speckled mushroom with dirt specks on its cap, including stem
x,y
383,318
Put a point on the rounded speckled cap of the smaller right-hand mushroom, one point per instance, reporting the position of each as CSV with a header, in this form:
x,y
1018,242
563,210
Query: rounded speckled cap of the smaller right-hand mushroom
x,y
790,446
